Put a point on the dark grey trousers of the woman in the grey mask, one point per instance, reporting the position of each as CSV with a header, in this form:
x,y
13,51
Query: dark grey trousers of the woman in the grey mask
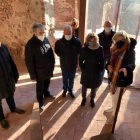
x,y
93,92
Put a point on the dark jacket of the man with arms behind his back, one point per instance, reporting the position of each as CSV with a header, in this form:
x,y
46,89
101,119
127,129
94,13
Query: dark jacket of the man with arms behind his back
x,y
68,53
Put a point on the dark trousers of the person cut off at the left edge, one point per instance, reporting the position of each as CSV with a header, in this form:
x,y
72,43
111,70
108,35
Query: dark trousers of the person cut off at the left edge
x,y
11,103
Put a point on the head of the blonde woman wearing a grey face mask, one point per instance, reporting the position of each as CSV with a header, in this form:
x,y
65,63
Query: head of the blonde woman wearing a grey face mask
x,y
92,39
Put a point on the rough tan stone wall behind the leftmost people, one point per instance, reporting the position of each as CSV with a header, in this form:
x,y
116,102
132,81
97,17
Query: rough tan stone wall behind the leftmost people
x,y
16,20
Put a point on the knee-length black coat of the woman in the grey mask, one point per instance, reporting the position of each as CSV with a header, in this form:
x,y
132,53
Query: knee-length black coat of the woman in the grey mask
x,y
92,64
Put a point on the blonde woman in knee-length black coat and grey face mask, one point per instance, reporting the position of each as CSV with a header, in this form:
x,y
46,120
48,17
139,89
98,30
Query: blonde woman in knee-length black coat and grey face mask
x,y
91,62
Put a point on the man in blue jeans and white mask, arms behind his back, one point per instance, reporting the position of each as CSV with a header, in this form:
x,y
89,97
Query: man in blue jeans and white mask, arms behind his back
x,y
68,48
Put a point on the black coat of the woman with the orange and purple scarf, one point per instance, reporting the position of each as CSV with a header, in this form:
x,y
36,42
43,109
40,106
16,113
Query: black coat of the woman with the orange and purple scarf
x,y
128,62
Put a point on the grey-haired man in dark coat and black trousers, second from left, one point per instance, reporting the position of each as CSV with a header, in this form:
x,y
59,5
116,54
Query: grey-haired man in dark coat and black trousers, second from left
x,y
39,59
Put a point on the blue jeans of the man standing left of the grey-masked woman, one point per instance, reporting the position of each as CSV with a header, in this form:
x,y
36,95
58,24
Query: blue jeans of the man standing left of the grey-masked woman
x,y
68,80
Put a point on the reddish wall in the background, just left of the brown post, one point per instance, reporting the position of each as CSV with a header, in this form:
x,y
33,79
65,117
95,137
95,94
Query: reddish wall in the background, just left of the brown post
x,y
65,11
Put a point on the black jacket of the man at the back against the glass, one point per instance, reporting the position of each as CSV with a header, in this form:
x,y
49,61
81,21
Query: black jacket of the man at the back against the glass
x,y
103,43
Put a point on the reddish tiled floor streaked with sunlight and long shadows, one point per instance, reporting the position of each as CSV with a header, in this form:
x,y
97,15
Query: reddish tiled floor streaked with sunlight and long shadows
x,y
64,118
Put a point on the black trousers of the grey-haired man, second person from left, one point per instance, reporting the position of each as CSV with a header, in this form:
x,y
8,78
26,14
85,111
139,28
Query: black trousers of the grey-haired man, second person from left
x,y
42,88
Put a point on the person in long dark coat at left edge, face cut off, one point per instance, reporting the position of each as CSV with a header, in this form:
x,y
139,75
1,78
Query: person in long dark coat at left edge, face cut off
x,y
8,77
